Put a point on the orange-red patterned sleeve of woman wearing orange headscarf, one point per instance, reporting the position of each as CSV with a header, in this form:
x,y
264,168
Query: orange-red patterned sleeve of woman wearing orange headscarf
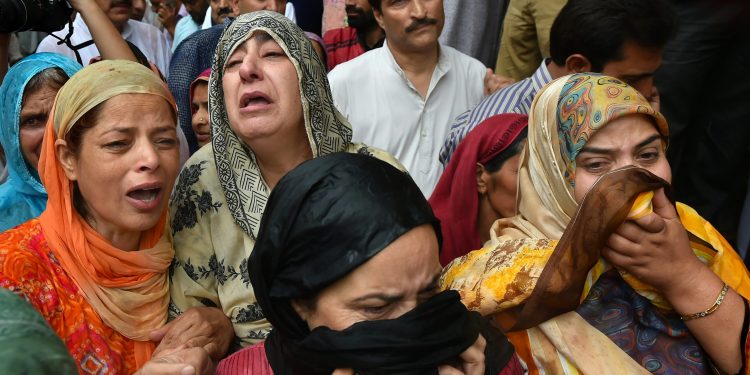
x,y
30,270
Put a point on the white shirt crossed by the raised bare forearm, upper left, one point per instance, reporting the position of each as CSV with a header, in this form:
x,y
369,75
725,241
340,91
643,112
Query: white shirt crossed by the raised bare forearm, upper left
x,y
147,38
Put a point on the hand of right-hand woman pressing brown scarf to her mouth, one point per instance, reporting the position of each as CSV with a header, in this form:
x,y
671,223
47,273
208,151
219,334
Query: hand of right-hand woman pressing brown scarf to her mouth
x,y
655,249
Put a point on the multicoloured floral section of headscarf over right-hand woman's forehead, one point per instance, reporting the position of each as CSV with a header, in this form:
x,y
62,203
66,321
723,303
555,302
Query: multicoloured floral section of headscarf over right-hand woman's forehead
x,y
579,116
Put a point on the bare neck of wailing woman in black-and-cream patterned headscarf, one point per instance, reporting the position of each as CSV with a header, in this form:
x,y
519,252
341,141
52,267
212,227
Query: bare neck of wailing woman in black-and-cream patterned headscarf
x,y
274,164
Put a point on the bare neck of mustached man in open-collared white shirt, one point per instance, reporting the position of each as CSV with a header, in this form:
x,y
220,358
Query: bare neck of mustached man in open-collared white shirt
x,y
417,65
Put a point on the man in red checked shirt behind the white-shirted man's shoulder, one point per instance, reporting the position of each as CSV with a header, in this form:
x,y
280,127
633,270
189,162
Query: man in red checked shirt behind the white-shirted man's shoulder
x,y
362,34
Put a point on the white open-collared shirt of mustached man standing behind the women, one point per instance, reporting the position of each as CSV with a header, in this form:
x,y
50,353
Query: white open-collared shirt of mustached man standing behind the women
x,y
387,112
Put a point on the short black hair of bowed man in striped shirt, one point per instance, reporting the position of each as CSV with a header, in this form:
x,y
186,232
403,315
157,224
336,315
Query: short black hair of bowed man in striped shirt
x,y
598,29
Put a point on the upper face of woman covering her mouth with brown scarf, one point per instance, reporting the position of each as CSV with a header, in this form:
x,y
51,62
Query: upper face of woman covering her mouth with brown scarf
x,y
629,140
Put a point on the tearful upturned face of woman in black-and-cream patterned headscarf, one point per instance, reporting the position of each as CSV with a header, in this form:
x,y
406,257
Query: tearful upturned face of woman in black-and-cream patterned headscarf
x,y
261,92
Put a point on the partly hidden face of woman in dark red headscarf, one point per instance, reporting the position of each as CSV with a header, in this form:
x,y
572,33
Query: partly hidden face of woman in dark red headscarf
x,y
500,187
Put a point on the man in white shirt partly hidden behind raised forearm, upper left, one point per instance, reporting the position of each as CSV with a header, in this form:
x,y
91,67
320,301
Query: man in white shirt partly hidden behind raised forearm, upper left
x,y
147,38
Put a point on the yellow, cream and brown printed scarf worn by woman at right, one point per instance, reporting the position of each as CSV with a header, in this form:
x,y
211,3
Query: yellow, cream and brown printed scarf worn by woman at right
x,y
542,264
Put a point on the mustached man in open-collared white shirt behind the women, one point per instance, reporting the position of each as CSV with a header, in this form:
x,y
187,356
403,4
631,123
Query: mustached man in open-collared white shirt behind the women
x,y
402,97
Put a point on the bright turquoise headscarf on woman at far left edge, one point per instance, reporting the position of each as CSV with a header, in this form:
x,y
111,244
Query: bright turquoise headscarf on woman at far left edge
x,y
22,196
